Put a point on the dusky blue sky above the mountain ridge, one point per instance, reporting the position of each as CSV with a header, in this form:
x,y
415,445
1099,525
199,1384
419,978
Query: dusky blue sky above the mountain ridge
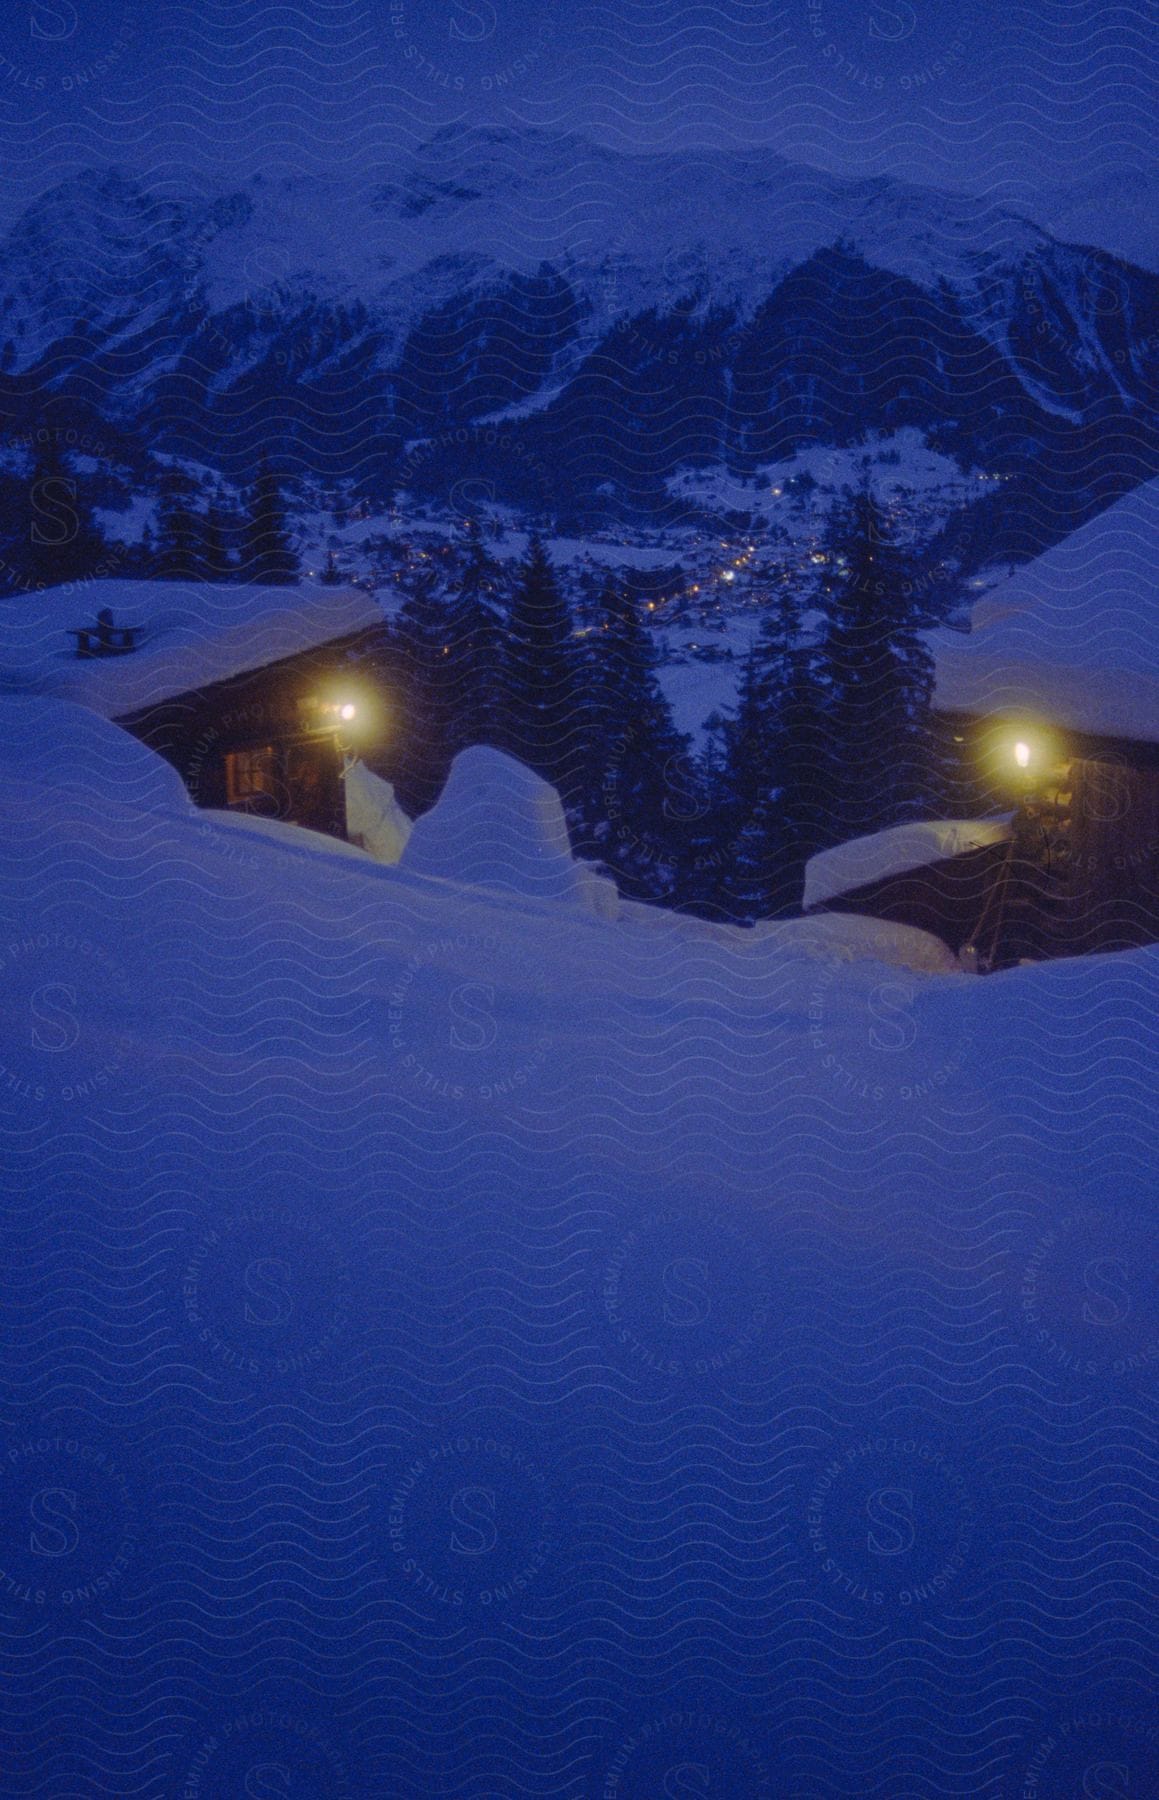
x,y
984,94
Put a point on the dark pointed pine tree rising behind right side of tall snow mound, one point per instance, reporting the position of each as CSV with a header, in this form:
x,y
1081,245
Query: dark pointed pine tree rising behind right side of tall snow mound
x,y
543,690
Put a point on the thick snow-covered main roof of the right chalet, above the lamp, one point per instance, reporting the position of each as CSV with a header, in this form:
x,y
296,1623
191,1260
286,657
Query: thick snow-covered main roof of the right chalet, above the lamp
x,y
1074,636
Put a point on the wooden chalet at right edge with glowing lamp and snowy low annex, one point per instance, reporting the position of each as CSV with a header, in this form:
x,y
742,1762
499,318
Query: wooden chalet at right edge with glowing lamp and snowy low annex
x,y
1050,715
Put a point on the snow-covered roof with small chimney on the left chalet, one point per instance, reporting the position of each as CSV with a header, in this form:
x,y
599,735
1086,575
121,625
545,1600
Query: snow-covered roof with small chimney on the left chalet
x,y
193,634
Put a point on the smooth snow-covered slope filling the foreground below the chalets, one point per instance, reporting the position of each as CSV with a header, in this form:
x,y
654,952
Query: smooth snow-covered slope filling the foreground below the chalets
x,y
345,1203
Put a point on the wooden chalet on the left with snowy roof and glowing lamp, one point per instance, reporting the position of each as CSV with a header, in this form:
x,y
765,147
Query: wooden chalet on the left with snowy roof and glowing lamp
x,y
253,694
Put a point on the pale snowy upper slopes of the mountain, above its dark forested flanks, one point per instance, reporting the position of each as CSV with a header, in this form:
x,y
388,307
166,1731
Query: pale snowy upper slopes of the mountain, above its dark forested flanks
x,y
631,231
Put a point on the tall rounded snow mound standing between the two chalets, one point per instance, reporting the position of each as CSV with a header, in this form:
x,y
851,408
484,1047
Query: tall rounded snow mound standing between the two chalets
x,y
499,825
